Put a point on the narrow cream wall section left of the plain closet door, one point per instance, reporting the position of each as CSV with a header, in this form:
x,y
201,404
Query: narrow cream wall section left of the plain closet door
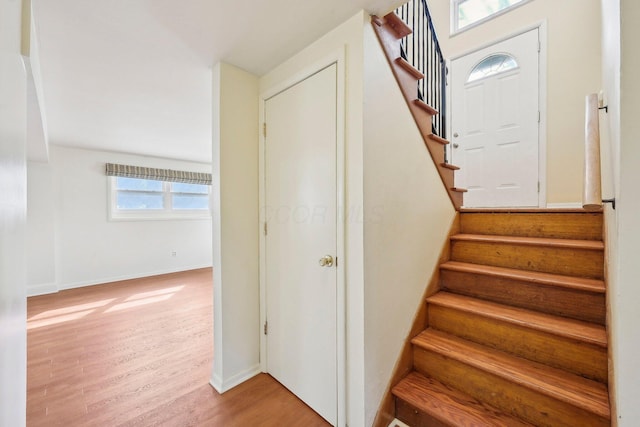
x,y
235,227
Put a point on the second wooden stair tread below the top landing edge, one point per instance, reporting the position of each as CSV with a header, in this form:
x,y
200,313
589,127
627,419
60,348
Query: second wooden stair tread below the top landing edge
x,y
548,279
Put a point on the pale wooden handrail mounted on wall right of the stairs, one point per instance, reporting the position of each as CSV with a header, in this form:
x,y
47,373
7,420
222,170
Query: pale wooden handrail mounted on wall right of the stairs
x,y
592,192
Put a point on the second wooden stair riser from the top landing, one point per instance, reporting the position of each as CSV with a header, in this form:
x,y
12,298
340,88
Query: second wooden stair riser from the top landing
x,y
566,261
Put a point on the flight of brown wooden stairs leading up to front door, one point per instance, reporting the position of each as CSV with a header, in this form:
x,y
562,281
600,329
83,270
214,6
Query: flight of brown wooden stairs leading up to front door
x,y
516,333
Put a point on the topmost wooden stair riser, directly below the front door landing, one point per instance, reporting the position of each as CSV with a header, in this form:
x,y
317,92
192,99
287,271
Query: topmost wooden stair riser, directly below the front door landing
x,y
579,226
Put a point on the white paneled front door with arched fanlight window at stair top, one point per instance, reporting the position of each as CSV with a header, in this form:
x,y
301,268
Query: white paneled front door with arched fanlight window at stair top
x,y
494,123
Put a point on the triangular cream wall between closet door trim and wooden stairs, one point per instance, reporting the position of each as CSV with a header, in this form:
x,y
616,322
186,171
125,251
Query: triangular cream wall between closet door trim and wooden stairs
x,y
408,217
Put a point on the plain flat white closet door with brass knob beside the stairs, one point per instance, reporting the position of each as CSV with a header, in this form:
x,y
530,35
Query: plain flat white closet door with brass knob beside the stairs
x,y
301,216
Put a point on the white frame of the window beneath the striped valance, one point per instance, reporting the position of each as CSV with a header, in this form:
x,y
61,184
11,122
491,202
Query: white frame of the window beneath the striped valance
x,y
114,214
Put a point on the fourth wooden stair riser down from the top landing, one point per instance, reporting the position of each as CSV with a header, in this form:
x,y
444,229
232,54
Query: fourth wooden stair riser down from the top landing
x,y
587,360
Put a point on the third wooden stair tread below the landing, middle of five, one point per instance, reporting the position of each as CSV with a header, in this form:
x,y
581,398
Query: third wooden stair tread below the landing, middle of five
x,y
564,327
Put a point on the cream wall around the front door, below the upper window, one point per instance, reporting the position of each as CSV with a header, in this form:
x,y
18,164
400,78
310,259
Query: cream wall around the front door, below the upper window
x,y
573,71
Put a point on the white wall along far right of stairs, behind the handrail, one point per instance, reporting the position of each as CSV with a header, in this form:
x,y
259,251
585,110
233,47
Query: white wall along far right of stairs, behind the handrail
x,y
621,65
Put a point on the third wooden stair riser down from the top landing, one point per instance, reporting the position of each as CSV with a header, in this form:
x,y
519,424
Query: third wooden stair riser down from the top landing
x,y
587,306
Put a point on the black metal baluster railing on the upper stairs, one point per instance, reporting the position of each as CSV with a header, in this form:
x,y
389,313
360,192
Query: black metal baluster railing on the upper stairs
x,y
422,50
